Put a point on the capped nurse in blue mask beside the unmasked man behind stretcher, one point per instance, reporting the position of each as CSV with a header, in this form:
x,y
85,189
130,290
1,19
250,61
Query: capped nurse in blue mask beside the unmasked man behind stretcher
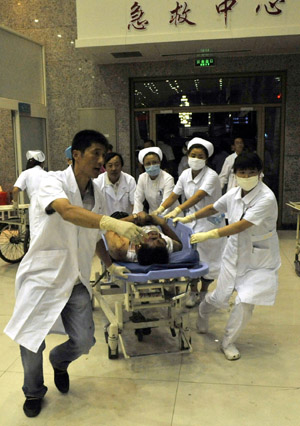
x,y
154,185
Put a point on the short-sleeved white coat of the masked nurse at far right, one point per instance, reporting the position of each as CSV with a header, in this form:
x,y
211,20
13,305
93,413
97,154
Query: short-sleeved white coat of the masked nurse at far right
x,y
251,258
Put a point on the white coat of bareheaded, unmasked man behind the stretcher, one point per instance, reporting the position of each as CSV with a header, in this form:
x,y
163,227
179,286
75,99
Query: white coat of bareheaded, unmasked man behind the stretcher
x,y
123,199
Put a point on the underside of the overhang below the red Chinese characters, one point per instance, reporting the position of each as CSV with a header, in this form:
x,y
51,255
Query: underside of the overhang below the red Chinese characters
x,y
280,45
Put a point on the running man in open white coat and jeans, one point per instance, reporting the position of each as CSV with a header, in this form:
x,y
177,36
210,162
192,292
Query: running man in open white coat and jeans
x,y
52,282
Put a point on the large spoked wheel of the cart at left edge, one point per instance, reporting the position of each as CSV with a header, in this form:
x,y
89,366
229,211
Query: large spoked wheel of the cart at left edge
x,y
14,242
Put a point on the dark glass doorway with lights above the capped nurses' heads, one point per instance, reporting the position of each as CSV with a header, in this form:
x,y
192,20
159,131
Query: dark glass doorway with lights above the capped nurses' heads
x,y
175,128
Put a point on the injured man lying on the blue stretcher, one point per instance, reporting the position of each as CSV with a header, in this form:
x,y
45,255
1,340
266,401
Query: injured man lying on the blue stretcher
x,y
154,249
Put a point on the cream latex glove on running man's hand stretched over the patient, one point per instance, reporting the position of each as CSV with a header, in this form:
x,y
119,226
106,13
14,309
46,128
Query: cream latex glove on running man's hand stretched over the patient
x,y
126,229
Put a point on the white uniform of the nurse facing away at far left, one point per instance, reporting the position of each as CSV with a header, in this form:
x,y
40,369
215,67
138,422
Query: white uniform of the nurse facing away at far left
x,y
30,180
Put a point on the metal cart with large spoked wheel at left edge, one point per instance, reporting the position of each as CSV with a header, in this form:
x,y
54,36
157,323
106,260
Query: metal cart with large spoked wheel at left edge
x,y
14,232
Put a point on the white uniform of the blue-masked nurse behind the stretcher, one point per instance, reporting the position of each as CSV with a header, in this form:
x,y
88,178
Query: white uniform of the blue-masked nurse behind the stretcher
x,y
154,191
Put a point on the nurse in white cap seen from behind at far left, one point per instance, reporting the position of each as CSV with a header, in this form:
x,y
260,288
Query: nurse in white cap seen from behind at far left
x,y
30,180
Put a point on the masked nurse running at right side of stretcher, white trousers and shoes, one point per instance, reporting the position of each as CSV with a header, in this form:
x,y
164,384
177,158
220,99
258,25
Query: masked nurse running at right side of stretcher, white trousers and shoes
x,y
251,258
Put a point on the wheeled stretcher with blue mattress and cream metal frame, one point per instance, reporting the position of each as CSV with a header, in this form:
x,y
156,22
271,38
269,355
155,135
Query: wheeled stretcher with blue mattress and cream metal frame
x,y
148,289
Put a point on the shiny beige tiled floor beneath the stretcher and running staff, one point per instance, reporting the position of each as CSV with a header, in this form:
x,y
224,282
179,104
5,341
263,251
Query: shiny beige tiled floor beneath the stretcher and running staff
x,y
198,388
